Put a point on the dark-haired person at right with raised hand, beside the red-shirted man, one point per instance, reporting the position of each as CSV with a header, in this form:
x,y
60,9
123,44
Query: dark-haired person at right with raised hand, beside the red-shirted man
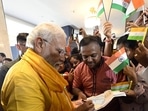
x,y
139,89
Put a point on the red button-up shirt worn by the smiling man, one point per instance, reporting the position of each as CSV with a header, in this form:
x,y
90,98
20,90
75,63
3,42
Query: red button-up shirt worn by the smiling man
x,y
94,83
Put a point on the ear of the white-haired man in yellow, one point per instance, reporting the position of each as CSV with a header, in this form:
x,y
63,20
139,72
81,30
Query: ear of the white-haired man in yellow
x,y
38,44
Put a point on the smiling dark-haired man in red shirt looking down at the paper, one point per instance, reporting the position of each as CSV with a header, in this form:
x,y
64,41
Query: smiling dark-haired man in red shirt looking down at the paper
x,y
93,76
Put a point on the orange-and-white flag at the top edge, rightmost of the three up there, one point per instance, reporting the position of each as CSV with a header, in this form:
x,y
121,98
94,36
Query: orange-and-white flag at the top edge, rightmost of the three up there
x,y
133,6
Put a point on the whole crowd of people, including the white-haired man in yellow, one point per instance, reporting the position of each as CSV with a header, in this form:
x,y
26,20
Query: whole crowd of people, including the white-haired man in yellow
x,y
50,76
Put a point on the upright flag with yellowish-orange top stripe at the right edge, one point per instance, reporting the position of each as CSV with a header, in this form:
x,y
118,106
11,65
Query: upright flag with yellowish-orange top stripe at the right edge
x,y
138,33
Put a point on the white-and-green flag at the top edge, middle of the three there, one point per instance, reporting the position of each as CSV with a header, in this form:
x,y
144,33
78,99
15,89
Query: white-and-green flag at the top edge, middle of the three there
x,y
120,5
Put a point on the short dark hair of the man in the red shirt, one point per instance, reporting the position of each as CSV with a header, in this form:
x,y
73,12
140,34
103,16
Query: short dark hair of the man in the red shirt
x,y
91,39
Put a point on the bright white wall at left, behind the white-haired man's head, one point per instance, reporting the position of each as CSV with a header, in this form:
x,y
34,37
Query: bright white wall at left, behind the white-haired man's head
x,y
15,26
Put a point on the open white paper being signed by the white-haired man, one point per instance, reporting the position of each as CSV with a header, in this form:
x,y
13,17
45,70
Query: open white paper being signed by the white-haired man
x,y
100,101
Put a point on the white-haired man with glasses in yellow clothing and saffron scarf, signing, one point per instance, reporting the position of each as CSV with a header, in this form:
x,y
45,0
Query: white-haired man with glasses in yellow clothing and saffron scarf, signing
x,y
33,84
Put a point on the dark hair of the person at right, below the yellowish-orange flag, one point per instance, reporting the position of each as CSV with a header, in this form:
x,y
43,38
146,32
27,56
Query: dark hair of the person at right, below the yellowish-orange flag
x,y
132,44
